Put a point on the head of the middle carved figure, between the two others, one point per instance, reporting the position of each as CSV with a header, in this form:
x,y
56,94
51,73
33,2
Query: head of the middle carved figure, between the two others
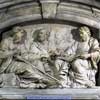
x,y
40,35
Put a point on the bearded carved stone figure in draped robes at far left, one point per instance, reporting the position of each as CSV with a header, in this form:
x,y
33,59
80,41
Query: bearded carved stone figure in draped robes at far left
x,y
12,49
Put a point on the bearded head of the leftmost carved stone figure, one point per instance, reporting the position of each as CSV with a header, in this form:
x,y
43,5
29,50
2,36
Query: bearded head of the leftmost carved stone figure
x,y
19,34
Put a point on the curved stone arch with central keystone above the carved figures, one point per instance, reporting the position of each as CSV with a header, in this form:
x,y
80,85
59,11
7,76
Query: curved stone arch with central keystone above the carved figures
x,y
72,10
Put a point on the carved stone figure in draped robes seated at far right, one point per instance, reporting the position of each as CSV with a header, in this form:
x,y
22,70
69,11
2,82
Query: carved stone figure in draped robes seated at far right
x,y
83,57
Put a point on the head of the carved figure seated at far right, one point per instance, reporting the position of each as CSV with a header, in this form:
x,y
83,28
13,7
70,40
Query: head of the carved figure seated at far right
x,y
84,33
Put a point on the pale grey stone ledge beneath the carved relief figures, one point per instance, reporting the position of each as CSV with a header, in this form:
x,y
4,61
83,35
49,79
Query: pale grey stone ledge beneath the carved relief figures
x,y
16,93
